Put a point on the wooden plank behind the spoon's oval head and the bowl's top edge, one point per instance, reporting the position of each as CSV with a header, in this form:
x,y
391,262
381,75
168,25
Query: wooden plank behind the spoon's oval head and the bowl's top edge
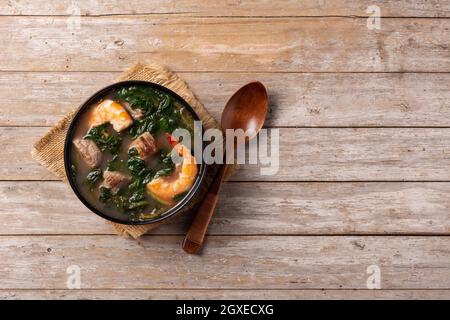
x,y
385,99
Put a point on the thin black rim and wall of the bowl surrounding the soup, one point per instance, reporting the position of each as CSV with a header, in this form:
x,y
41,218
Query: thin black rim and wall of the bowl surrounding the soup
x,y
68,152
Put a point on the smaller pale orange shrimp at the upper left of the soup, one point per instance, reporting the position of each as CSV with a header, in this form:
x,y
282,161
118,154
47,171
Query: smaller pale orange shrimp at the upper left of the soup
x,y
112,112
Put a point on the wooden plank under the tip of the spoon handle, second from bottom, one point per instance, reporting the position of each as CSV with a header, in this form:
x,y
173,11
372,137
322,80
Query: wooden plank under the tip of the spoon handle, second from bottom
x,y
227,262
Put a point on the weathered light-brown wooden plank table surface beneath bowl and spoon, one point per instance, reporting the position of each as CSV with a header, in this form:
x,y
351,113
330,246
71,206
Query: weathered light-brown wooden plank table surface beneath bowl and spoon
x,y
364,120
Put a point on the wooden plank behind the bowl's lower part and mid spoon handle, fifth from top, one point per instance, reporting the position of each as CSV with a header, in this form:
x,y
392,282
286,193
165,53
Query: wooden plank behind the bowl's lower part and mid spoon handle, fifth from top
x,y
251,208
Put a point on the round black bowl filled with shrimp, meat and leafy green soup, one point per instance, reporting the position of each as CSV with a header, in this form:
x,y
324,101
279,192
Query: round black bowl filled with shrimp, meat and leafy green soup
x,y
122,159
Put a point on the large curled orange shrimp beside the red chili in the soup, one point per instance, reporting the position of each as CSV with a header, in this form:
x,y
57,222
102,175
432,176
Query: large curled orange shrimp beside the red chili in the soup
x,y
164,189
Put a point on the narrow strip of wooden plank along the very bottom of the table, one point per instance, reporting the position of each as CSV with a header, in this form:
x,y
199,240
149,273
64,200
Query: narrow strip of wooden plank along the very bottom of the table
x,y
224,294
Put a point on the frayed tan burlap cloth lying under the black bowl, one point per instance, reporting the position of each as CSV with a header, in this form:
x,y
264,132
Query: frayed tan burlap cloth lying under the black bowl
x,y
49,150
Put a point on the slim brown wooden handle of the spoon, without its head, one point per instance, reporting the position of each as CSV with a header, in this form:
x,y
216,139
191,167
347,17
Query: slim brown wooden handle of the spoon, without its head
x,y
194,238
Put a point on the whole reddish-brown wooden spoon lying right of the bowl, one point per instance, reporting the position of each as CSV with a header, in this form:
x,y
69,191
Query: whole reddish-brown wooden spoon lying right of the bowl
x,y
246,110
